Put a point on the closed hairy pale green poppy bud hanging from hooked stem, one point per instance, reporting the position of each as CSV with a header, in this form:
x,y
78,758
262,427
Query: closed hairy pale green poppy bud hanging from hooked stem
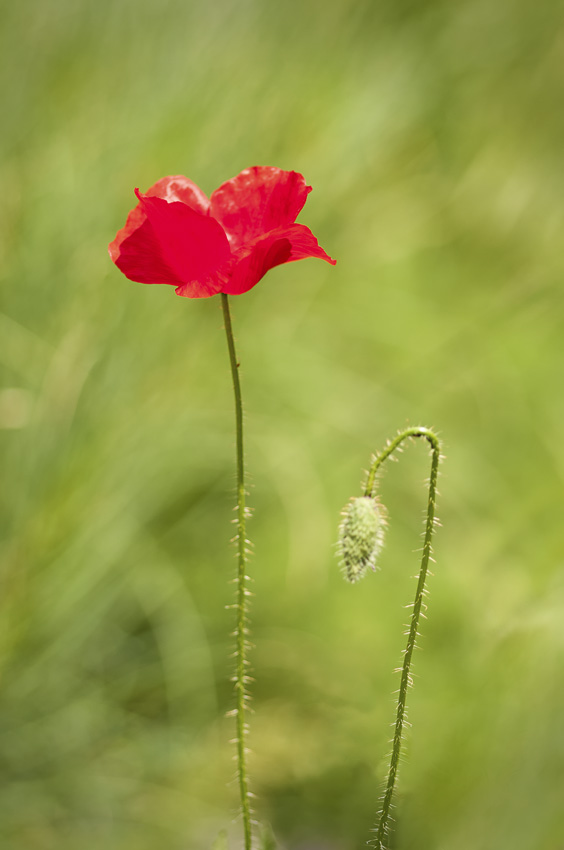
x,y
361,535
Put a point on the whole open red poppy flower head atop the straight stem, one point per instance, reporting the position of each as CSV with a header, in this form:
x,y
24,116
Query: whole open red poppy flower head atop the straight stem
x,y
227,243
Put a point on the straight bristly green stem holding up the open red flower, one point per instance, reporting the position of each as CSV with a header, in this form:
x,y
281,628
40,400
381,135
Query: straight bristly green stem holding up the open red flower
x,y
241,677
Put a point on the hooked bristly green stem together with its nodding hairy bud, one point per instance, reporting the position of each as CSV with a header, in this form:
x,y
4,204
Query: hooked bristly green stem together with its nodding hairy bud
x,y
358,548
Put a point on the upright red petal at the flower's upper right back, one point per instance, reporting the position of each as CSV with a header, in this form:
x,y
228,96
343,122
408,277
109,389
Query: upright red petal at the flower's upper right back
x,y
258,200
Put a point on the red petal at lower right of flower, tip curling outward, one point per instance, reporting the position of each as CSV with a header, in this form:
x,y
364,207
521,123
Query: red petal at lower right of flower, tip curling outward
x,y
283,245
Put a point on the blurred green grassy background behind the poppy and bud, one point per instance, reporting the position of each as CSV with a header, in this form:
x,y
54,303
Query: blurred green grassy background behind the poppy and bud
x,y
433,135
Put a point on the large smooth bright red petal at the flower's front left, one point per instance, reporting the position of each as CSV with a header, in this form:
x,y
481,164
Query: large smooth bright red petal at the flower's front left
x,y
177,246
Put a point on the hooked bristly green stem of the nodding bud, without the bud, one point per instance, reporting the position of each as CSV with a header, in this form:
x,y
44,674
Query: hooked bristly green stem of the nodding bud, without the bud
x,y
384,815
